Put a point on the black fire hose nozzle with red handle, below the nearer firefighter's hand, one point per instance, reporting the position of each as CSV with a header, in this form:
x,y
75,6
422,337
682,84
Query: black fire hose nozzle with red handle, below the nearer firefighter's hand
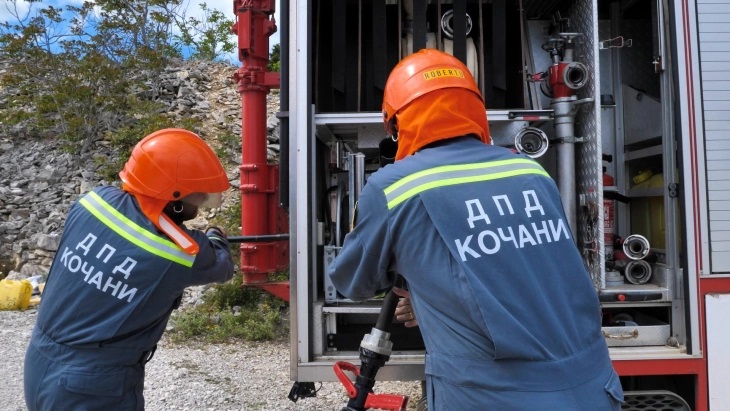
x,y
375,350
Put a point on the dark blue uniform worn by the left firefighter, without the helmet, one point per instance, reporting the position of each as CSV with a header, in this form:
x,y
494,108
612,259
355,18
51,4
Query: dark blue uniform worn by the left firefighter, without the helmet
x,y
111,289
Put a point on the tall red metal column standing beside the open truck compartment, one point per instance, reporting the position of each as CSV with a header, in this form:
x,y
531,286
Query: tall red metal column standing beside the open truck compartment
x,y
260,214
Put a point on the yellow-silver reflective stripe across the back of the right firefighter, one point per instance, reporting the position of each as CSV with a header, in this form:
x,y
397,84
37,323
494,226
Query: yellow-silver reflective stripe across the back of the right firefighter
x,y
442,176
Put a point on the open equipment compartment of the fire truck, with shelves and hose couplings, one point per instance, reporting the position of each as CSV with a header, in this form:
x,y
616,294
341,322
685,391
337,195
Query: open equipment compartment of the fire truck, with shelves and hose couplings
x,y
585,87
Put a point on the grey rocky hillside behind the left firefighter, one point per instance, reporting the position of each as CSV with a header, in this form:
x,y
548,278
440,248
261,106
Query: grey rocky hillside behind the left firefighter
x,y
39,181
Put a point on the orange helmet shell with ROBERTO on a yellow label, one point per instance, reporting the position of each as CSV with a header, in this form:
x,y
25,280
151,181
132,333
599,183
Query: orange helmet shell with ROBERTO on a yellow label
x,y
419,74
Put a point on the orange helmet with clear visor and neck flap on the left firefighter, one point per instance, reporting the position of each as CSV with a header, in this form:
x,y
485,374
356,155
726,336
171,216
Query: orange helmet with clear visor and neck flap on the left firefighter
x,y
173,165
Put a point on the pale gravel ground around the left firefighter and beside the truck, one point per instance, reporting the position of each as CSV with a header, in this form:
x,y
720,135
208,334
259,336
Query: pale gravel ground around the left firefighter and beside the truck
x,y
216,377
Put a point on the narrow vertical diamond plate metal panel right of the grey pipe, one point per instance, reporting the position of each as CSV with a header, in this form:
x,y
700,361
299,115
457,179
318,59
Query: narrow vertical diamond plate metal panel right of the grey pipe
x,y
584,19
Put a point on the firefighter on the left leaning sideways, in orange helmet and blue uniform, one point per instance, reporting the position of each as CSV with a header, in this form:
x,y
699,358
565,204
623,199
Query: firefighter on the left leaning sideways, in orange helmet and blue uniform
x,y
123,262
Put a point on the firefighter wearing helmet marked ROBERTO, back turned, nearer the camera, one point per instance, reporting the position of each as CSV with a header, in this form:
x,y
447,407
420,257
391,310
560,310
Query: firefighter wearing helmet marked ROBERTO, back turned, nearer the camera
x,y
507,310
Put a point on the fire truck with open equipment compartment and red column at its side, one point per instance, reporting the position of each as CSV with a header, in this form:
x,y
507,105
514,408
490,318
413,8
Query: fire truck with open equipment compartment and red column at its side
x,y
626,103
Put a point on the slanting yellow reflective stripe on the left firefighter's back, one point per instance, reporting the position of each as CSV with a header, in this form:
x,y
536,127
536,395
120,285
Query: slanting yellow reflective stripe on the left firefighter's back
x,y
134,233
